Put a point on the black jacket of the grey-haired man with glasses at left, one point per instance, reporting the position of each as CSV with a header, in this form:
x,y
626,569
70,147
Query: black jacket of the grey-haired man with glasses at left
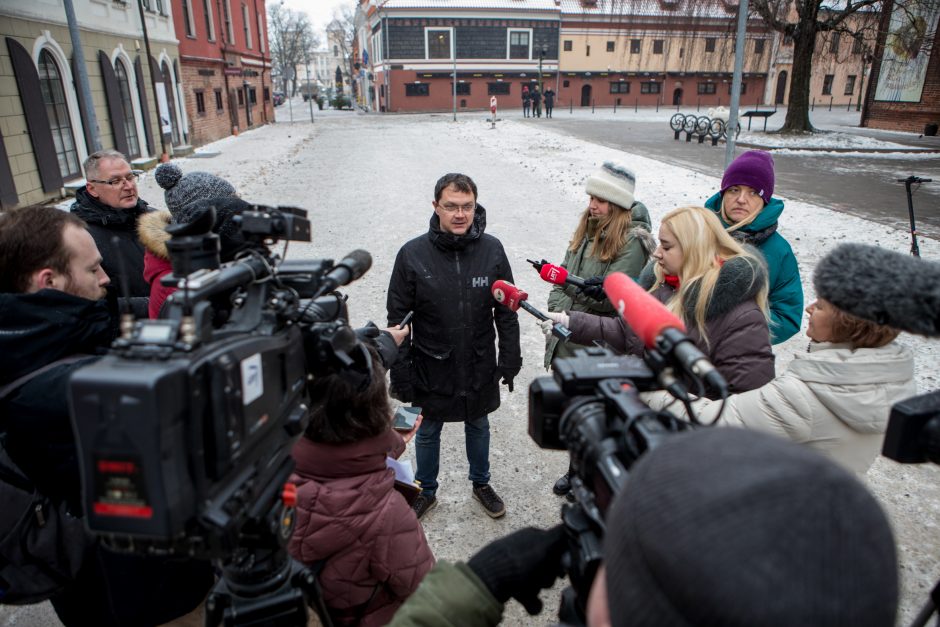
x,y
106,222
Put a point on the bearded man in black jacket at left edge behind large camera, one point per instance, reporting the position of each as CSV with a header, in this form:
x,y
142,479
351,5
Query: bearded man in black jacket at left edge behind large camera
x,y
53,307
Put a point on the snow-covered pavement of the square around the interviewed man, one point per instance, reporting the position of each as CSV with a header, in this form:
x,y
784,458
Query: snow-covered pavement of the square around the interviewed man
x,y
368,183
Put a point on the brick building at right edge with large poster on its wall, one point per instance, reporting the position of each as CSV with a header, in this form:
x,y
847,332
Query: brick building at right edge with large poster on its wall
x,y
904,91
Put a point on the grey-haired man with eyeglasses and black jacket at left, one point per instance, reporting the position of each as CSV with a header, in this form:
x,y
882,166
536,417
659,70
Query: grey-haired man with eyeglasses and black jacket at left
x,y
110,206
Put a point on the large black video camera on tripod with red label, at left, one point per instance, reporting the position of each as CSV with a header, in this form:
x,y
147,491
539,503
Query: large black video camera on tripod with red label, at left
x,y
185,428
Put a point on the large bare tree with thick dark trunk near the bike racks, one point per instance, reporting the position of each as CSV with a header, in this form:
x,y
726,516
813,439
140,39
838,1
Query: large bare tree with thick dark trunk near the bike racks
x,y
802,21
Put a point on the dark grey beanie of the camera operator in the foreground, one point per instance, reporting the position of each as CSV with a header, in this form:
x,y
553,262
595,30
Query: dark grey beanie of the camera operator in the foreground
x,y
731,527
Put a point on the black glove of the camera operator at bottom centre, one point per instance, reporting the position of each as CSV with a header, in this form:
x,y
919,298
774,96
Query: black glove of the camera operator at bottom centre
x,y
521,564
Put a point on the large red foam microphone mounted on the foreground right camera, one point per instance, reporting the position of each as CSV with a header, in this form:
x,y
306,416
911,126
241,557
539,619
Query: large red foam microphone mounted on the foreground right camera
x,y
660,329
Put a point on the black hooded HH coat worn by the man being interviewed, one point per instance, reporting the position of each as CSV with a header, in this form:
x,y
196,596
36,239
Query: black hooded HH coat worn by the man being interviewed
x,y
449,366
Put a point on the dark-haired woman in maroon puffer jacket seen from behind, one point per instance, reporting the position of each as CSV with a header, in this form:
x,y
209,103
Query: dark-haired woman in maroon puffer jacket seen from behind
x,y
348,511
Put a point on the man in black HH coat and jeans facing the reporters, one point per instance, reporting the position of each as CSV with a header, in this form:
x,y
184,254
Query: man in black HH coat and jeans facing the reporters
x,y
449,366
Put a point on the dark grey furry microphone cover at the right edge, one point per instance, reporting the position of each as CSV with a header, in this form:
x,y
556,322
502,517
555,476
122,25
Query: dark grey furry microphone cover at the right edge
x,y
882,286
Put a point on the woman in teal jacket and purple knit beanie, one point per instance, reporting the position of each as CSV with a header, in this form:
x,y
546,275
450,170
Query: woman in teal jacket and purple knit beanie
x,y
749,213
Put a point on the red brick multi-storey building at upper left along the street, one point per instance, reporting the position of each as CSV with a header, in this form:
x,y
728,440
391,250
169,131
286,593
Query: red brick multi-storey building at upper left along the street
x,y
225,65
